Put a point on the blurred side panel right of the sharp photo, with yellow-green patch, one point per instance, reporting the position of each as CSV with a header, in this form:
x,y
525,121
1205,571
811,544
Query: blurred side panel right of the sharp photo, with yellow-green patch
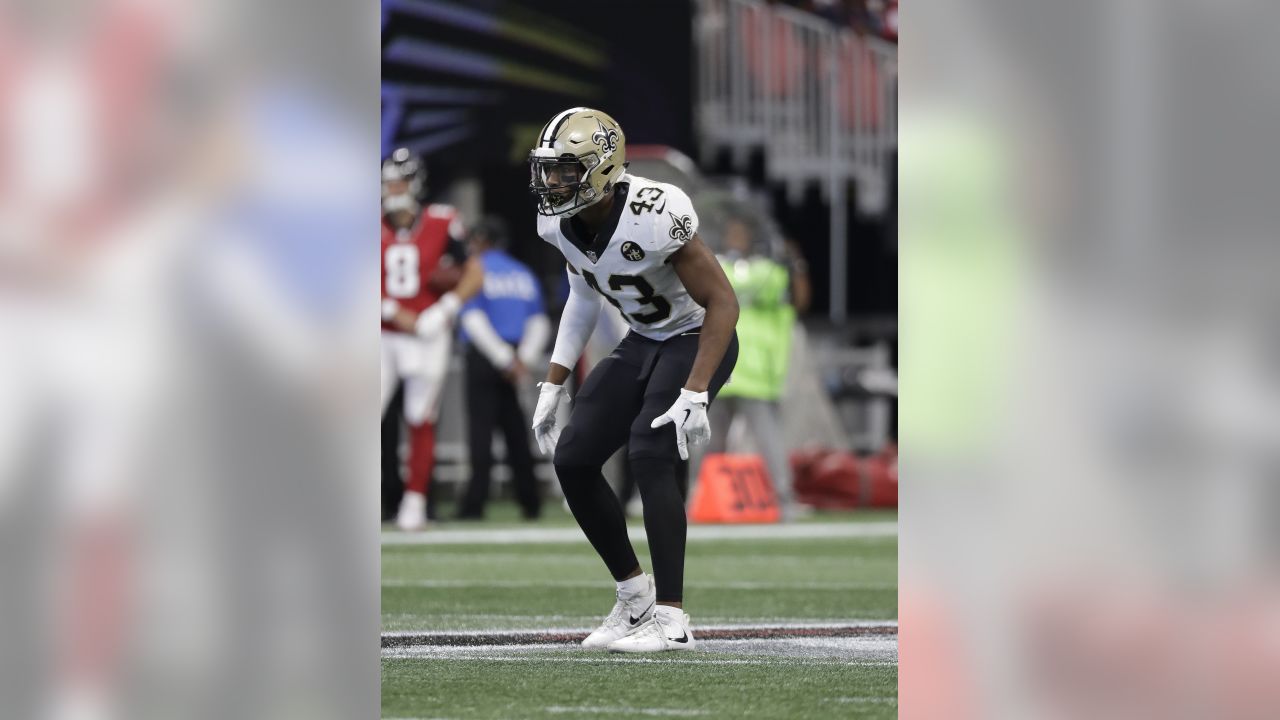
x,y
1090,377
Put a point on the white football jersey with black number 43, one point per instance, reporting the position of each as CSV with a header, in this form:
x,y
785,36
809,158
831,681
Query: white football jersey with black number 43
x,y
628,262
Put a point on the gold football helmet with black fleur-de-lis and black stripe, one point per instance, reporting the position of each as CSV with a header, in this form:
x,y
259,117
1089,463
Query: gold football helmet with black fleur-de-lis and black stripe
x,y
580,154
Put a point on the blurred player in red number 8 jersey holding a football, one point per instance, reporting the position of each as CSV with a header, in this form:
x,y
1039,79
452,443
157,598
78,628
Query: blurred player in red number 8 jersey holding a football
x,y
427,277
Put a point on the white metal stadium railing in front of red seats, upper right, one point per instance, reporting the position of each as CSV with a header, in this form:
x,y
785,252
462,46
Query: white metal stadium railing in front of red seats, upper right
x,y
819,99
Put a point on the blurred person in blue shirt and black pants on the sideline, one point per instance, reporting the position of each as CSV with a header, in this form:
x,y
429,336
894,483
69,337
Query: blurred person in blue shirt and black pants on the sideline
x,y
506,331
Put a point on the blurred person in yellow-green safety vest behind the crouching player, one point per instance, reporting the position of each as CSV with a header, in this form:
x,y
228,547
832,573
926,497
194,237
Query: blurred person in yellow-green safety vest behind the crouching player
x,y
765,327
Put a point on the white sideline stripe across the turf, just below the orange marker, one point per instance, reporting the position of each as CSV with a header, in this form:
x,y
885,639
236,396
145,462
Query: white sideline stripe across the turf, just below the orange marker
x,y
806,531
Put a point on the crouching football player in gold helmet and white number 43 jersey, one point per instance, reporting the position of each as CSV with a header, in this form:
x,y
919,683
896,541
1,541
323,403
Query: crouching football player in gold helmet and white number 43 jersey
x,y
632,243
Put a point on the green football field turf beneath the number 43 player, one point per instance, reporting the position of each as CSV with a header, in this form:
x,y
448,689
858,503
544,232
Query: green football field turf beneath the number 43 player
x,y
798,622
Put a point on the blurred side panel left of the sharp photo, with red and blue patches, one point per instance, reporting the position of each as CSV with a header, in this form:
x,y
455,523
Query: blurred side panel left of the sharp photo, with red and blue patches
x,y
186,306
